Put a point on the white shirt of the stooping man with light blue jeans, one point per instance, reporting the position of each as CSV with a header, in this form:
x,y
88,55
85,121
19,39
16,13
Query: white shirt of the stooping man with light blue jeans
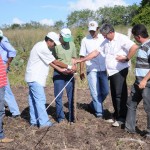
x,y
38,63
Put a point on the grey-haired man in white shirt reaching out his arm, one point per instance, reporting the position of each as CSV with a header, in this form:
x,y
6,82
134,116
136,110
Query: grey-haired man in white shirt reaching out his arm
x,y
118,49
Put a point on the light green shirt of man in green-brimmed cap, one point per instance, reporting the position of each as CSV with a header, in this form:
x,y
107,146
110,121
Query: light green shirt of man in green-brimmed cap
x,y
65,53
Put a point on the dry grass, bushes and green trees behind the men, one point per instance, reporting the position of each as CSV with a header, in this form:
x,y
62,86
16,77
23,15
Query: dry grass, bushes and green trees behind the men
x,y
23,37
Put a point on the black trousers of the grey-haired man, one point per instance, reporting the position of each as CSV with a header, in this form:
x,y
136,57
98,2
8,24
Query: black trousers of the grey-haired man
x,y
119,93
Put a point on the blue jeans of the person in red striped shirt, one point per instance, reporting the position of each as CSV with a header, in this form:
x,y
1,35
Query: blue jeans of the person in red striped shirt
x,y
2,112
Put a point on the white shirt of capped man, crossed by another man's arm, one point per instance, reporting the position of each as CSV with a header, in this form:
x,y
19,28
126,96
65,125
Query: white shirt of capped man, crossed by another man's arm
x,y
89,44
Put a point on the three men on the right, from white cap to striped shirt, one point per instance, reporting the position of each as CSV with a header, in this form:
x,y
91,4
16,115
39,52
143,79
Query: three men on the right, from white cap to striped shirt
x,y
117,49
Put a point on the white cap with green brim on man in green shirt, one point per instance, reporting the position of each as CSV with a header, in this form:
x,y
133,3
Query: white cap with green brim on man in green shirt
x,y
66,34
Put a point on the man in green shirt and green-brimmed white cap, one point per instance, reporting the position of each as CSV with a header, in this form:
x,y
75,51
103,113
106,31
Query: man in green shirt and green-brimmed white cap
x,y
64,53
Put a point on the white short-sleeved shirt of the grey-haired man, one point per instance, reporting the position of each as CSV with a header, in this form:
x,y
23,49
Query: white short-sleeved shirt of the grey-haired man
x,y
120,45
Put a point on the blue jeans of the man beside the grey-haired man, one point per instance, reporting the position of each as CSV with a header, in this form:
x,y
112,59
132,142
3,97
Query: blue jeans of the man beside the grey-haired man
x,y
98,84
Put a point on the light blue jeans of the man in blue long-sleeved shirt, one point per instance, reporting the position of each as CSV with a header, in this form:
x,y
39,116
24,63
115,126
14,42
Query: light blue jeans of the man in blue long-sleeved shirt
x,y
10,100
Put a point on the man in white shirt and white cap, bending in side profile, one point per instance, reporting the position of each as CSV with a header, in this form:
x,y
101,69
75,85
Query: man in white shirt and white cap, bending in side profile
x,y
36,74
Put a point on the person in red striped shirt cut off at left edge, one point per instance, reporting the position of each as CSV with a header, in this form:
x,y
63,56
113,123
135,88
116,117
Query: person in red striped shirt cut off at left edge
x,y
3,82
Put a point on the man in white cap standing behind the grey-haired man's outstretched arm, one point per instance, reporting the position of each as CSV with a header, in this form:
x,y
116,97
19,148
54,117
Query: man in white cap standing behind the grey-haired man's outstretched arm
x,y
95,68
